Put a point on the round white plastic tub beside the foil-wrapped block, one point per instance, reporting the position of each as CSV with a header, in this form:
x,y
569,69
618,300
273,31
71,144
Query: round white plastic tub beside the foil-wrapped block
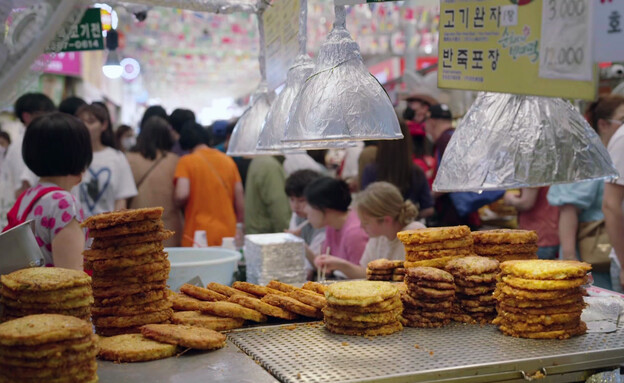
x,y
210,264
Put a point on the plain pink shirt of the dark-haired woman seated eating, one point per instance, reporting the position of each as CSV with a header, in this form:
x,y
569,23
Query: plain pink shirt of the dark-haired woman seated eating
x,y
347,243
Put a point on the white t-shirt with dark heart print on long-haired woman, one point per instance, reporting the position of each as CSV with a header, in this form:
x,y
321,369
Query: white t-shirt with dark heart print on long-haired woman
x,y
108,179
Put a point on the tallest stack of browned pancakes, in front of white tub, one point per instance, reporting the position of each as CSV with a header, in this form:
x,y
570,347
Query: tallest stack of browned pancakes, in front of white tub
x,y
130,270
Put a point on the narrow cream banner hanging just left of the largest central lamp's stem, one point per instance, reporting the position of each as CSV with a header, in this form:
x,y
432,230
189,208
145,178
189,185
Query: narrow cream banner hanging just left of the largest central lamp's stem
x,y
281,30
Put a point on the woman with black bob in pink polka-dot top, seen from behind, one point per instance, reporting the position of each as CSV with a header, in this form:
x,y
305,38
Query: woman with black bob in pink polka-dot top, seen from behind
x,y
56,212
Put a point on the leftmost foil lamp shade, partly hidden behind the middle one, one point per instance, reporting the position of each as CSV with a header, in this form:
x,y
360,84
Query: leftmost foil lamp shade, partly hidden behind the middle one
x,y
246,132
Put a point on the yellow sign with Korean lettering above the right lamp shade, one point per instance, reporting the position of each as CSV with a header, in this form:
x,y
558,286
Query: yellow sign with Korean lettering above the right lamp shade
x,y
494,45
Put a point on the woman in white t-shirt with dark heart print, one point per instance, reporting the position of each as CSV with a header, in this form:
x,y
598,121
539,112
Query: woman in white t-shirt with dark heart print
x,y
108,182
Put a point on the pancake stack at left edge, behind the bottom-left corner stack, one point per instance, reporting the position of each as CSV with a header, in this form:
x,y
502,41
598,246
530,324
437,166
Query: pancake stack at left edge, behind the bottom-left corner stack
x,y
46,290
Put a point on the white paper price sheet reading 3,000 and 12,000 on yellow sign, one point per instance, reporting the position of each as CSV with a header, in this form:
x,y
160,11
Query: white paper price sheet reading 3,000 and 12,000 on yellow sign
x,y
566,40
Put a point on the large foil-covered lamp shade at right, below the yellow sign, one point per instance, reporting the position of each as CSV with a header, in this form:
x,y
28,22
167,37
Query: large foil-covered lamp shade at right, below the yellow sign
x,y
510,141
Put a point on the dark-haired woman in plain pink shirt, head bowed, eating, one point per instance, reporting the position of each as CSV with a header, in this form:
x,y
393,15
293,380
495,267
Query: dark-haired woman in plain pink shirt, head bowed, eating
x,y
328,202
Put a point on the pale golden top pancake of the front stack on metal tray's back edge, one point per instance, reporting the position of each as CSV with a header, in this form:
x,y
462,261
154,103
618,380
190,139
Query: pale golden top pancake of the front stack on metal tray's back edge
x,y
360,293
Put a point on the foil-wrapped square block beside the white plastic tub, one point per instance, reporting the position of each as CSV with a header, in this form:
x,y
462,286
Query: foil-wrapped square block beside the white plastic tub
x,y
279,256
